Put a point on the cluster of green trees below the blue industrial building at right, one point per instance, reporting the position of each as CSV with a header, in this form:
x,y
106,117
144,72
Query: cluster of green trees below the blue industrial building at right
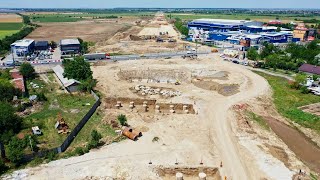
x,y
290,58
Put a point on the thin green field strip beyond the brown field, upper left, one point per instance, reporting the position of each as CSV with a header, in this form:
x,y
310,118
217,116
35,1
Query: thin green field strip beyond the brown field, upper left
x,y
81,16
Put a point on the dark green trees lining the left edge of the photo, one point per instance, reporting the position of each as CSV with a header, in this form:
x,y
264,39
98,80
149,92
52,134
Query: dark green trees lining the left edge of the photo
x,y
10,123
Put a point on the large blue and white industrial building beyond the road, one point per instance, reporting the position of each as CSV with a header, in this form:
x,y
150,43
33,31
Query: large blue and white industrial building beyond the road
x,y
236,30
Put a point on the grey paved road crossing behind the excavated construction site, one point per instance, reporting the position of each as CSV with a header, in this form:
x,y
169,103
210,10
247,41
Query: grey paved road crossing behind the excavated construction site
x,y
120,58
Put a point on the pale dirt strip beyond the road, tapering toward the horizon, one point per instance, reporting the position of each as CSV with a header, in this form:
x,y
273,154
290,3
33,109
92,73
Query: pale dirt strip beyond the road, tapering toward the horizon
x,y
141,38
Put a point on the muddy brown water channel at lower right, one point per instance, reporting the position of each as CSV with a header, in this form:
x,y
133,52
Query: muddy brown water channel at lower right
x,y
299,143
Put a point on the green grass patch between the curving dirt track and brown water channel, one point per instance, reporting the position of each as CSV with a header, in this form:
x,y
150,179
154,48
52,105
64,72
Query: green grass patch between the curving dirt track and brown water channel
x,y
288,100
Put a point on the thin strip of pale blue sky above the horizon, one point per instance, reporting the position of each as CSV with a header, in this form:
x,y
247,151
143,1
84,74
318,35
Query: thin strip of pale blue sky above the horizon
x,y
160,3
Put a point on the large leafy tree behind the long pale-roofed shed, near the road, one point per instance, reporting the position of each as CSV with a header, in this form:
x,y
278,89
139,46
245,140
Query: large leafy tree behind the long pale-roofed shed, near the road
x,y
77,69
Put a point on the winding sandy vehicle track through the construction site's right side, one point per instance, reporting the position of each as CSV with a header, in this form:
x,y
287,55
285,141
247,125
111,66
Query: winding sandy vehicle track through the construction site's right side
x,y
234,165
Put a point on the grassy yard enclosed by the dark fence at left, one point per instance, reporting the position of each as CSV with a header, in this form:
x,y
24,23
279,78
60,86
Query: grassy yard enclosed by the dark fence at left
x,y
71,107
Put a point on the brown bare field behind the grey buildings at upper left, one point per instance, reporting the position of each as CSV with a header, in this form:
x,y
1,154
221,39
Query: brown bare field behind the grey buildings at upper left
x,y
91,30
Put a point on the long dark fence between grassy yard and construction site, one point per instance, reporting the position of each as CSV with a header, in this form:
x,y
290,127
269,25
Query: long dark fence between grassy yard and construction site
x,y
64,146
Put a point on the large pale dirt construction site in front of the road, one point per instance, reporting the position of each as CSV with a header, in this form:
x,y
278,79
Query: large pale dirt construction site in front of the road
x,y
215,134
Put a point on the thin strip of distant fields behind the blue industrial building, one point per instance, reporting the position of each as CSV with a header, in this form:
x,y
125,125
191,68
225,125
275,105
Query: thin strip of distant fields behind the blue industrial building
x,y
264,18
